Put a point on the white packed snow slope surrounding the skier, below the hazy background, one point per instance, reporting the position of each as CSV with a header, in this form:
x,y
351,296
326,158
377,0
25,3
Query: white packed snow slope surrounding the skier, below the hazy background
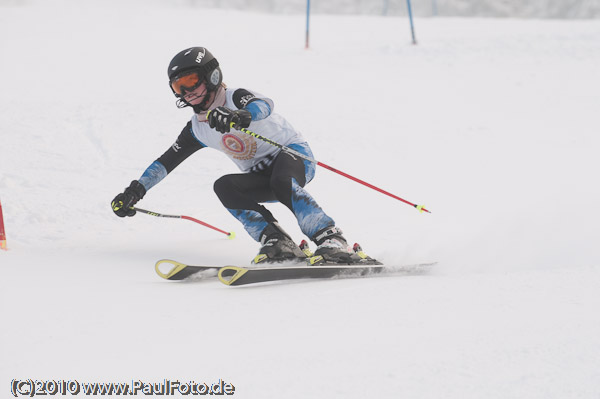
x,y
491,124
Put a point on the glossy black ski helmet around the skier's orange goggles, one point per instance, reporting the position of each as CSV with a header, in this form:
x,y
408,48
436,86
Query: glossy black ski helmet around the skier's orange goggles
x,y
196,58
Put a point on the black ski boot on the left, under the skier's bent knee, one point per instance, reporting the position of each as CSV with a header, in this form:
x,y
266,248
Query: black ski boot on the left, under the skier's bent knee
x,y
277,247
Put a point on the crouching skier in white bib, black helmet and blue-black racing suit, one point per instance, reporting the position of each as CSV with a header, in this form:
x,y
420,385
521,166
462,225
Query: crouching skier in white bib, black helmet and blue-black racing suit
x,y
269,174
